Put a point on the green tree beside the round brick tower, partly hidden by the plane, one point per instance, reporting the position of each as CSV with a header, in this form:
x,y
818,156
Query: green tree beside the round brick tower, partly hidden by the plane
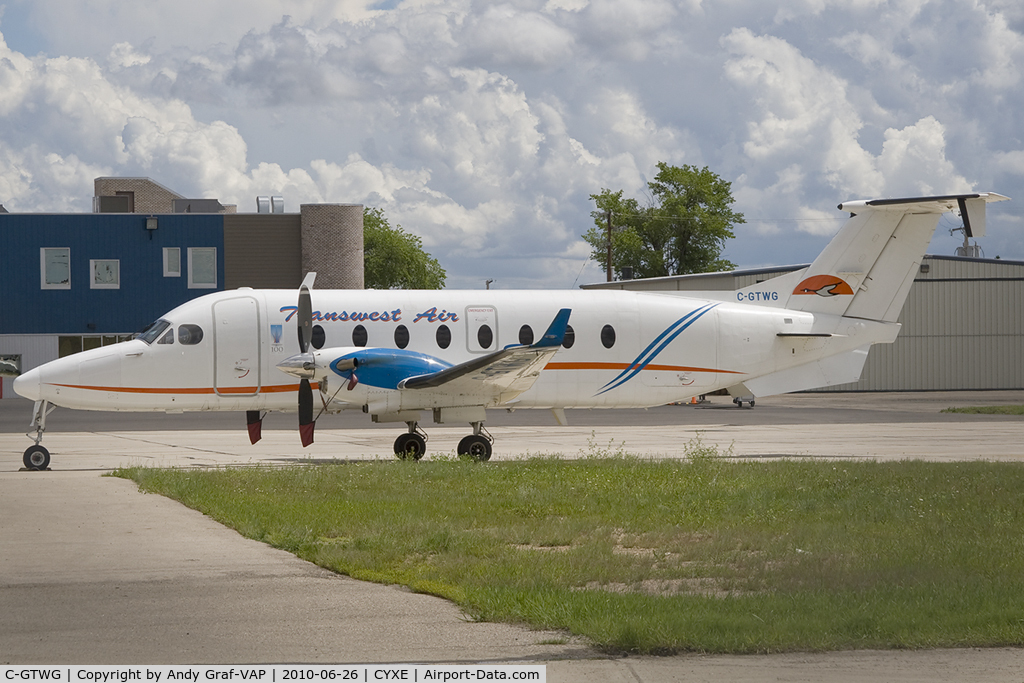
x,y
395,260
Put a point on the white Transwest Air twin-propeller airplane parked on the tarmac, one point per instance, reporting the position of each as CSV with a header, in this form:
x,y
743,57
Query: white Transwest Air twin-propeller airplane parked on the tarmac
x,y
396,355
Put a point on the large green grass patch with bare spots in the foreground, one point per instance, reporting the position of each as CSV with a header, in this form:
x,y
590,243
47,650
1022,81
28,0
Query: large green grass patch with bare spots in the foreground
x,y
646,557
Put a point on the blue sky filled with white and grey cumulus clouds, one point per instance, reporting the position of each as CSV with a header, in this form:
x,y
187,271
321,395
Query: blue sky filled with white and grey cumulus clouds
x,y
485,127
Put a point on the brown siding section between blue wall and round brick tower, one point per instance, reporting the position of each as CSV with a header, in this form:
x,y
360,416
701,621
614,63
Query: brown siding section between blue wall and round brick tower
x,y
263,251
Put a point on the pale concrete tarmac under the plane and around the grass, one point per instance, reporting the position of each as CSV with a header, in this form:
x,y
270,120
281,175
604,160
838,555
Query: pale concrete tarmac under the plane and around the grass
x,y
94,572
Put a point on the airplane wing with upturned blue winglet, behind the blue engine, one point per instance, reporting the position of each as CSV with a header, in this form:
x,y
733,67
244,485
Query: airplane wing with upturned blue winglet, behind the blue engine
x,y
509,371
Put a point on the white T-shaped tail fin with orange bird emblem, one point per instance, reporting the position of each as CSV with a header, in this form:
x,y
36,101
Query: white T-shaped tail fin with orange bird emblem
x,y
868,270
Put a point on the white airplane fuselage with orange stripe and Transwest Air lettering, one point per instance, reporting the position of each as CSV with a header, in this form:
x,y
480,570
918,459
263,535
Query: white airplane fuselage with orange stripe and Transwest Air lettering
x,y
628,349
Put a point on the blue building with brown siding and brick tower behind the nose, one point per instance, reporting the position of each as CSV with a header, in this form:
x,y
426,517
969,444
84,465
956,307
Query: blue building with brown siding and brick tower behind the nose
x,y
74,282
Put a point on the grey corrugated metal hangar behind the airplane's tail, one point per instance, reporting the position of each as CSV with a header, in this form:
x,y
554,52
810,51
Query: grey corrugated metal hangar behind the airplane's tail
x,y
963,325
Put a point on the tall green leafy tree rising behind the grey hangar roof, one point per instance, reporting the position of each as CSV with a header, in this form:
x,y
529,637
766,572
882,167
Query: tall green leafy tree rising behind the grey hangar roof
x,y
682,231
